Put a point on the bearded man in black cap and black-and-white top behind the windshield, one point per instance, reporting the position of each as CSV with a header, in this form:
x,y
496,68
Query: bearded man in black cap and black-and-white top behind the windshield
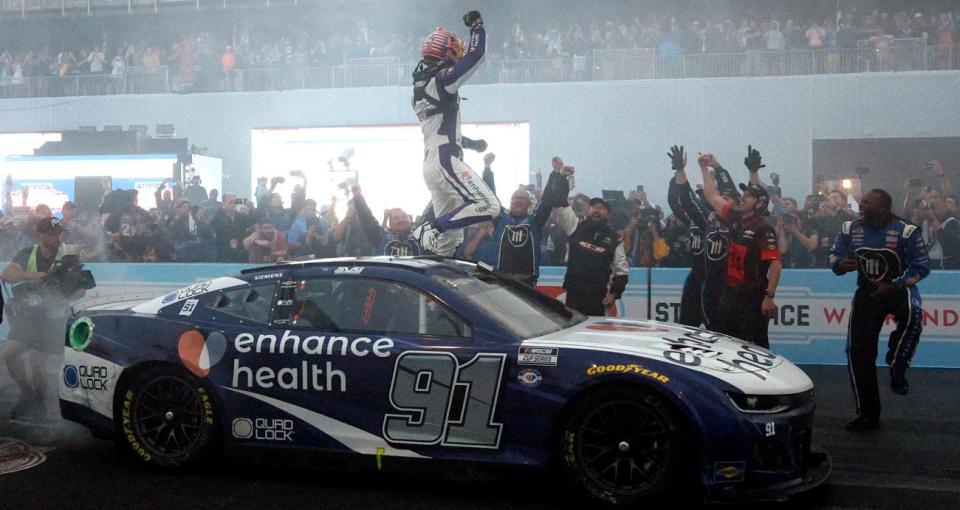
x,y
597,267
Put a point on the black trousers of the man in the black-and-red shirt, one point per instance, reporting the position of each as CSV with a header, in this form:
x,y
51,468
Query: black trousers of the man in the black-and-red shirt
x,y
740,315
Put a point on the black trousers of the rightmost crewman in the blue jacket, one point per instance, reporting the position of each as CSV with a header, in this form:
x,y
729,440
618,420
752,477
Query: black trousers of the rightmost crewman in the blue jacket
x,y
866,320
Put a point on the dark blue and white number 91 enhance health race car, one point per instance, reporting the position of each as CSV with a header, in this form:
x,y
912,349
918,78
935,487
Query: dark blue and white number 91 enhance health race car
x,y
423,359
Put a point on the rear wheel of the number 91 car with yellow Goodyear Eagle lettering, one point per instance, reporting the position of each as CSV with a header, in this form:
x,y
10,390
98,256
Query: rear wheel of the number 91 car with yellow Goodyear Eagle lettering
x,y
166,417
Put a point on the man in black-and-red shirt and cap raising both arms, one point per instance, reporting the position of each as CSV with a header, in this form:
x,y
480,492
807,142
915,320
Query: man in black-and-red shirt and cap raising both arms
x,y
753,261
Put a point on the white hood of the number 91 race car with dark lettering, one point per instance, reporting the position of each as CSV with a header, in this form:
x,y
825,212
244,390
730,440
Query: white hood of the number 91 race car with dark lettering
x,y
751,369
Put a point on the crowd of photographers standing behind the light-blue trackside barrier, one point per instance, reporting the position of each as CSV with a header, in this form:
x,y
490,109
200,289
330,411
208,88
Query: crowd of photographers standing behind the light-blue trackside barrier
x,y
192,224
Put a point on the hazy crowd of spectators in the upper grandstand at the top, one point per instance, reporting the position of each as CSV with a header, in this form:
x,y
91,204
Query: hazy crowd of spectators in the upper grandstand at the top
x,y
248,45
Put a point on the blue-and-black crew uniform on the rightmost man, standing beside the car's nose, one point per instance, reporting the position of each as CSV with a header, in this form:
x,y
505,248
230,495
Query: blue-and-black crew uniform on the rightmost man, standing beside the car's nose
x,y
893,254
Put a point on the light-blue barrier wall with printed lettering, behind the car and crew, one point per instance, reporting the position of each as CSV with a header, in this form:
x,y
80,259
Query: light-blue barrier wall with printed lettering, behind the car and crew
x,y
810,327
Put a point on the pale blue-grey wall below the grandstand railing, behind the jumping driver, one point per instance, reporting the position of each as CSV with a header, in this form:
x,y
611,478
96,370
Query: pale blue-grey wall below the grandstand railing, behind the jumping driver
x,y
616,133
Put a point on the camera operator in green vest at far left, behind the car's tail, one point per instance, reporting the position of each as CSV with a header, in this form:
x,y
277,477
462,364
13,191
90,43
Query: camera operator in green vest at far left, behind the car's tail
x,y
38,312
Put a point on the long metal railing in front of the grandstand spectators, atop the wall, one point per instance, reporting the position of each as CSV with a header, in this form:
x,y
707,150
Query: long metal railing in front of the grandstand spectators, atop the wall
x,y
601,65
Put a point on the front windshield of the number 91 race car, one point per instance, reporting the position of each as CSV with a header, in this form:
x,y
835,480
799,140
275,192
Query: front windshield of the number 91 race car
x,y
521,310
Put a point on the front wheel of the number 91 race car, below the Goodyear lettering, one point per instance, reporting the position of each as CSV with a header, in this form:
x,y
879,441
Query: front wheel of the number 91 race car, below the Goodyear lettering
x,y
623,446
